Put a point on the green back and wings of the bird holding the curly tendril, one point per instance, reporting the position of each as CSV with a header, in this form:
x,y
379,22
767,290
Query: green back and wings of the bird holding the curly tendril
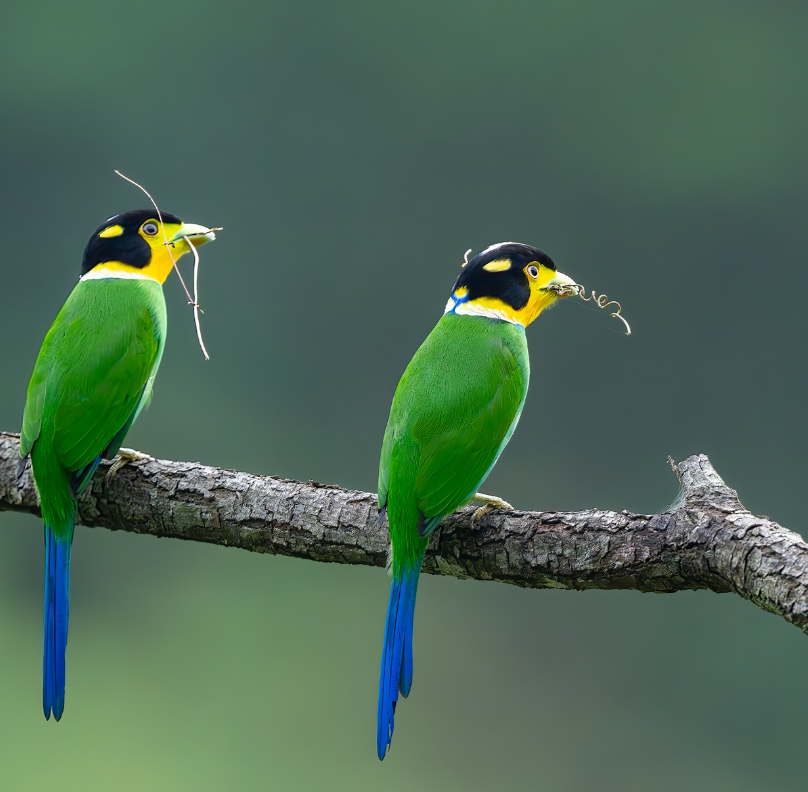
x,y
454,411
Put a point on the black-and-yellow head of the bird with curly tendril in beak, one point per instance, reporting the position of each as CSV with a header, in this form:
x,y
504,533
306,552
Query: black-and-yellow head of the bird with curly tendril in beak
x,y
507,281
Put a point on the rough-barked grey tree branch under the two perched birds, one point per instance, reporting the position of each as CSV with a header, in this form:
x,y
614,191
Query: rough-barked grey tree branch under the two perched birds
x,y
707,540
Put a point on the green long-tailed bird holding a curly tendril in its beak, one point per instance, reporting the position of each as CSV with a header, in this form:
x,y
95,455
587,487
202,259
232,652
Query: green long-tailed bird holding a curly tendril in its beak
x,y
453,412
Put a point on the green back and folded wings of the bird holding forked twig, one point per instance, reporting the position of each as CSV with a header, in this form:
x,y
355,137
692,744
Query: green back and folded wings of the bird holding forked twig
x,y
92,373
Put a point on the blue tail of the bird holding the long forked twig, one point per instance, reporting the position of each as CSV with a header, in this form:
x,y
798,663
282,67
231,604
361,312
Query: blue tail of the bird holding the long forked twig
x,y
57,608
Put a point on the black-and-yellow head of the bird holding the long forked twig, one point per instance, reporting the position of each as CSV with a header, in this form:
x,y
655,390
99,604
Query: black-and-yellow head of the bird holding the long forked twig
x,y
137,243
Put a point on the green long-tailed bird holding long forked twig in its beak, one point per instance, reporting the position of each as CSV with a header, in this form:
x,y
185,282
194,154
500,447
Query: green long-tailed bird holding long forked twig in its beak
x,y
93,375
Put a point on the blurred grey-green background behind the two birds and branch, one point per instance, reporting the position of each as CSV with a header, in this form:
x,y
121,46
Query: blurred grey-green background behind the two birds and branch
x,y
353,151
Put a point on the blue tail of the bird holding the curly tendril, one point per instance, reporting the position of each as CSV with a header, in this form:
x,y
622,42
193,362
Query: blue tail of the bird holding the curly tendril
x,y
396,673
